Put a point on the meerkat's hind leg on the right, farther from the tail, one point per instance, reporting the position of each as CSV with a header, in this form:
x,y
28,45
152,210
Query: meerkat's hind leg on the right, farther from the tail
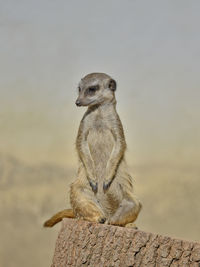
x,y
126,213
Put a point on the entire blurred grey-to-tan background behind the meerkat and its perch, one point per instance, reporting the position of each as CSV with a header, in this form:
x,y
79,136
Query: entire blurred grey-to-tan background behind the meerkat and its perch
x,y
152,49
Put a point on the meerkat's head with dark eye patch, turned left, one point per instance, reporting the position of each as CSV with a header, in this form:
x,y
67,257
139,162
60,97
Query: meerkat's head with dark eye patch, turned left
x,y
96,89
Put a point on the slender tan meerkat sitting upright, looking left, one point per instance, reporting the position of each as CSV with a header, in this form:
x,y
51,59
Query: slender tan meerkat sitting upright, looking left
x,y
103,191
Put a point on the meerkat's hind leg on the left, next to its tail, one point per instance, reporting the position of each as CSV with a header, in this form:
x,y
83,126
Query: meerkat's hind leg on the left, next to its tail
x,y
85,204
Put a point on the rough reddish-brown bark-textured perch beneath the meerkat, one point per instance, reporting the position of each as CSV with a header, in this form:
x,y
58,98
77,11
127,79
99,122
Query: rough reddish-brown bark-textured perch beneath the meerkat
x,y
82,243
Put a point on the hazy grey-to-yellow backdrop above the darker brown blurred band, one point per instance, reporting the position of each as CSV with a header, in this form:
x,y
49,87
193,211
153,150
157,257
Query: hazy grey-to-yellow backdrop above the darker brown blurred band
x,y
151,48
